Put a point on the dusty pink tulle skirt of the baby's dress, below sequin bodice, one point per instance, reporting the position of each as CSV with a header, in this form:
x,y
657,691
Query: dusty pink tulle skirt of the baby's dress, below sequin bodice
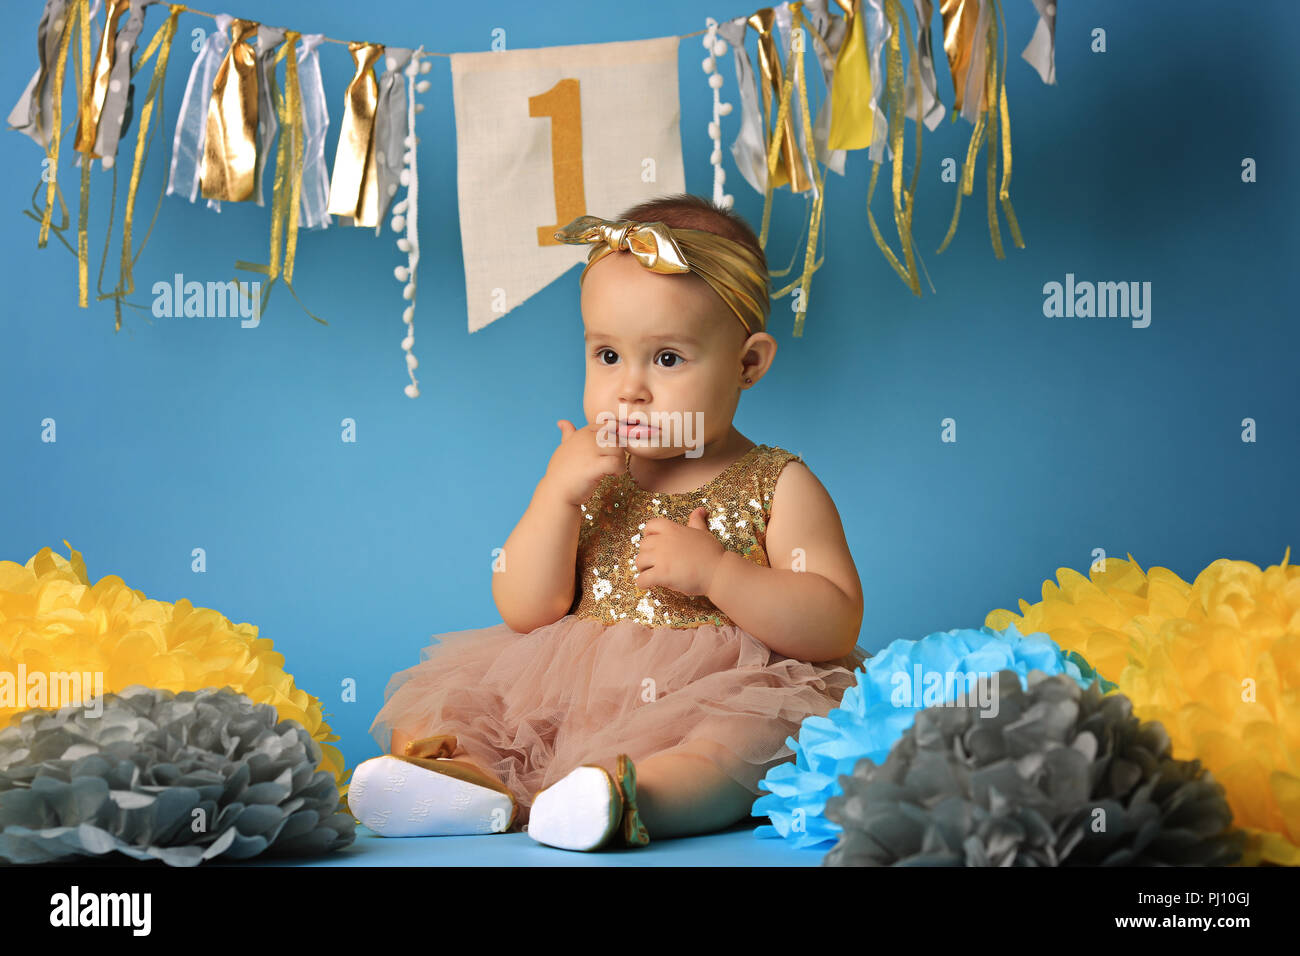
x,y
534,707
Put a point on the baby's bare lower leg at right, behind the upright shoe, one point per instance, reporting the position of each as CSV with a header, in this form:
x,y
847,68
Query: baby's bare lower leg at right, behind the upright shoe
x,y
683,794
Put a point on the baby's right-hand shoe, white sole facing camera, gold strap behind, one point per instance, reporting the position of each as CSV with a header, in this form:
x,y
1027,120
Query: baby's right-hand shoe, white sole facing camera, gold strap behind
x,y
590,810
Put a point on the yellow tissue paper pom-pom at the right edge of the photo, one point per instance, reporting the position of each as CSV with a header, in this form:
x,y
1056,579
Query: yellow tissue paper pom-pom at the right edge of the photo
x,y
1217,663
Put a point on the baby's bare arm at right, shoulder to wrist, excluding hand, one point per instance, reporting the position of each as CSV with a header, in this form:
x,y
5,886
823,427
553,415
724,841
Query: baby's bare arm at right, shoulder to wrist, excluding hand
x,y
813,615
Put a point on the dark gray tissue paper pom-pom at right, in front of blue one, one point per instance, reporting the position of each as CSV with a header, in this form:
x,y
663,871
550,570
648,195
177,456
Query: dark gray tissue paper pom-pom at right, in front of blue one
x,y
1058,777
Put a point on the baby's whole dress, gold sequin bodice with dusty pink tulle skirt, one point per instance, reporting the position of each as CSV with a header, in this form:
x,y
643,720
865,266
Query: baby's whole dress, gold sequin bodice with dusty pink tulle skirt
x,y
627,671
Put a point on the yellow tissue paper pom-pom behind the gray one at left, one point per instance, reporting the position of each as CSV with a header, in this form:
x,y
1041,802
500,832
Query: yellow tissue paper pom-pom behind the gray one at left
x,y
54,621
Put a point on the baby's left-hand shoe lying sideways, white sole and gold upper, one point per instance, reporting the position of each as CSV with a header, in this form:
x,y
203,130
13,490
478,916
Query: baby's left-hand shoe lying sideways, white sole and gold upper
x,y
415,797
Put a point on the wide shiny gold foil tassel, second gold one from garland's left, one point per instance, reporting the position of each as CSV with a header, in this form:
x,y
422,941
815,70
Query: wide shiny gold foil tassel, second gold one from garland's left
x,y
231,149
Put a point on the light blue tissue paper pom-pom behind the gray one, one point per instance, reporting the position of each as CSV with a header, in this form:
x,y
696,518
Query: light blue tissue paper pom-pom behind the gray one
x,y
892,689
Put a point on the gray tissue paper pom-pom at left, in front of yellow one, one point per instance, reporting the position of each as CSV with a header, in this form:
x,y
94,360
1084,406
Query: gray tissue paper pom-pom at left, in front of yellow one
x,y
161,776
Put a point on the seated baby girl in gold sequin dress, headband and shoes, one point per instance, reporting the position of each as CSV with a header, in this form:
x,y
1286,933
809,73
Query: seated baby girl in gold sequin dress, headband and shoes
x,y
675,602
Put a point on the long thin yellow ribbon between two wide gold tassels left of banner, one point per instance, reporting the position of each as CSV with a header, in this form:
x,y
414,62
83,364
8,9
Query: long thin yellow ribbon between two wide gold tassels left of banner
x,y
287,201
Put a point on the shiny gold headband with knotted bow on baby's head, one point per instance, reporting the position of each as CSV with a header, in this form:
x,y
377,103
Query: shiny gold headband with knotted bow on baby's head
x,y
730,267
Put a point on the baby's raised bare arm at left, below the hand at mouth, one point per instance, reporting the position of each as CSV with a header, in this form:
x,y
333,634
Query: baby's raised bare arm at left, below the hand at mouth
x,y
536,585
